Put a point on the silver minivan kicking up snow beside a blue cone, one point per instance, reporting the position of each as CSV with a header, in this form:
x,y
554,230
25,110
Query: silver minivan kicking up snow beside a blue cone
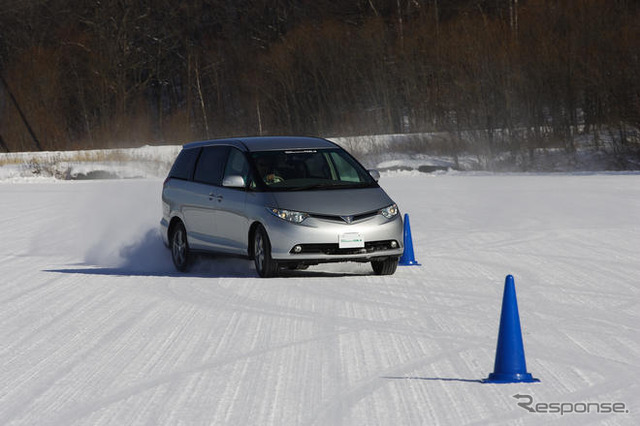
x,y
286,202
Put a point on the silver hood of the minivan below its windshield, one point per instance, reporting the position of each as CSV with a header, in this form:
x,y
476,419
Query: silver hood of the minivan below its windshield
x,y
338,202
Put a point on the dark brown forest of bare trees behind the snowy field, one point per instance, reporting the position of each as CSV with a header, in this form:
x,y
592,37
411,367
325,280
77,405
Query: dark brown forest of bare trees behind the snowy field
x,y
522,74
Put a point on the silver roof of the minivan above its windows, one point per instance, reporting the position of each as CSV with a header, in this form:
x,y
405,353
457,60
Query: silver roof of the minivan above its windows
x,y
267,143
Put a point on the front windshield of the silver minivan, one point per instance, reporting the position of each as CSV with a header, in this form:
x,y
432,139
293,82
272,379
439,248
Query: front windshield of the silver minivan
x,y
307,169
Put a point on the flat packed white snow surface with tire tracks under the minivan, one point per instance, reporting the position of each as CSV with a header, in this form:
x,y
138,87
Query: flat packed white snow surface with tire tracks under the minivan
x,y
97,328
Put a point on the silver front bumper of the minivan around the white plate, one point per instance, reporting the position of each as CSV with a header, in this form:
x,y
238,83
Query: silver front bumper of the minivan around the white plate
x,y
318,239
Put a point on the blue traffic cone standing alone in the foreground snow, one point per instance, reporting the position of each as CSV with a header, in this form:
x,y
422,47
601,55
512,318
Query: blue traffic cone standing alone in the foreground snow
x,y
510,366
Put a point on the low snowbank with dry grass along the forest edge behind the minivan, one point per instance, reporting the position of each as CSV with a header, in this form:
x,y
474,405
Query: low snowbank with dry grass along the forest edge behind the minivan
x,y
387,153
